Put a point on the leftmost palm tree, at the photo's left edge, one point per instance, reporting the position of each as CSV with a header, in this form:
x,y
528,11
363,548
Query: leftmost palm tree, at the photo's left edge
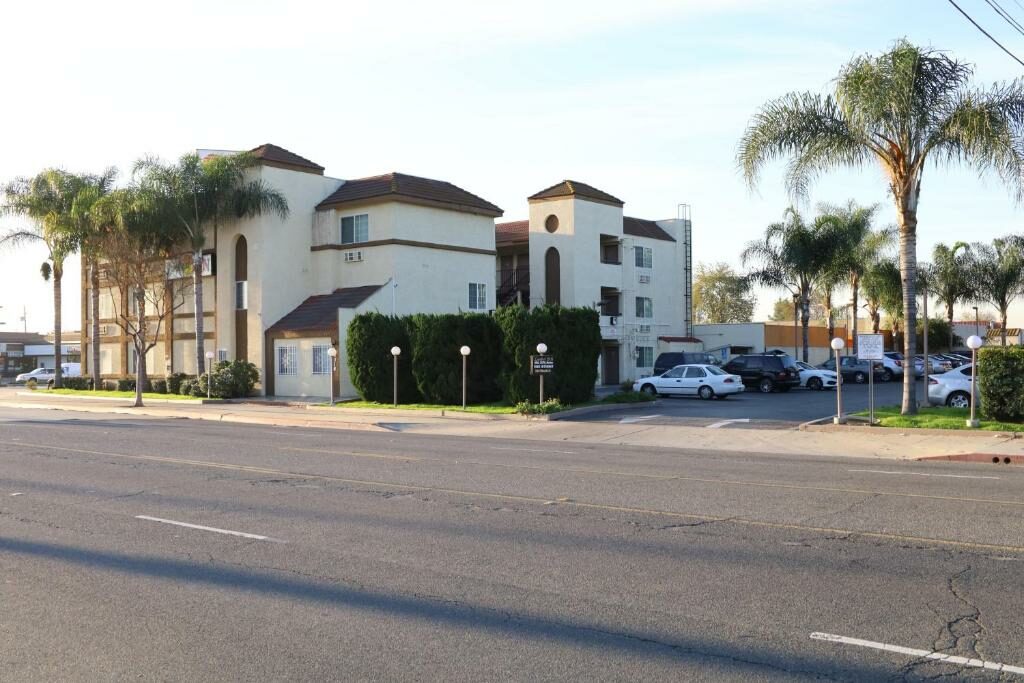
x,y
47,200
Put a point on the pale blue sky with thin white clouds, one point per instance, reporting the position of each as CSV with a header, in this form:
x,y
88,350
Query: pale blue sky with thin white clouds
x,y
645,100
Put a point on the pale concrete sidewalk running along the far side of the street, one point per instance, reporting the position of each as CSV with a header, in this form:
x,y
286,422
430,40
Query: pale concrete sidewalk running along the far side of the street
x,y
872,443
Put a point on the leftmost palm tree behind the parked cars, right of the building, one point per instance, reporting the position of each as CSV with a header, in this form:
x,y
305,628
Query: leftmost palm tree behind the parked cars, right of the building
x,y
794,257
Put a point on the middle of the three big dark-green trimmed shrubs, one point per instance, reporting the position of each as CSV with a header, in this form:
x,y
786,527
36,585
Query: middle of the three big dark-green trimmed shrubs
x,y
437,341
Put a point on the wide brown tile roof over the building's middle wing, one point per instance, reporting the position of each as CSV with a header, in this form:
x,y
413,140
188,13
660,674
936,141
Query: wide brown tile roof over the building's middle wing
x,y
401,186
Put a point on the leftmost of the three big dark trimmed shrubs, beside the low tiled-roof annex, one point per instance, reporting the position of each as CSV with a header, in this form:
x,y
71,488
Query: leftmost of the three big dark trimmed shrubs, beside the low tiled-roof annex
x,y
368,346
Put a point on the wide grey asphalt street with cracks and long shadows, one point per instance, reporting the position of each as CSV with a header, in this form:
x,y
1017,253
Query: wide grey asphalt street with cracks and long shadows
x,y
372,557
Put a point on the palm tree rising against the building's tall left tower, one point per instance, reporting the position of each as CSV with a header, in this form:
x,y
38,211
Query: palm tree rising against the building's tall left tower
x,y
203,193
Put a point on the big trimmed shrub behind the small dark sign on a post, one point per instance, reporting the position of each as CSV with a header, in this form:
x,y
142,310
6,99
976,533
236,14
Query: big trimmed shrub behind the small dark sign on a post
x,y
574,339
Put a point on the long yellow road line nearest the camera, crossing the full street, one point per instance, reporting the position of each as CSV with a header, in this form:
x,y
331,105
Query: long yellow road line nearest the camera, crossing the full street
x,y
535,500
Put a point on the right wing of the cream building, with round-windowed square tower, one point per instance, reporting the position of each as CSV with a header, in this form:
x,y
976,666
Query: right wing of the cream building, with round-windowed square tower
x,y
579,249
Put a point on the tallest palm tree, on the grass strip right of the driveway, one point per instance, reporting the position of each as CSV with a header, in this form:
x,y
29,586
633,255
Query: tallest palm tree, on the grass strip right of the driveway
x,y
900,110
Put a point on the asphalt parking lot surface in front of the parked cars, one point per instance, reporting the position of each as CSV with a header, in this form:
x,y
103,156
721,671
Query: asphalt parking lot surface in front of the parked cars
x,y
752,409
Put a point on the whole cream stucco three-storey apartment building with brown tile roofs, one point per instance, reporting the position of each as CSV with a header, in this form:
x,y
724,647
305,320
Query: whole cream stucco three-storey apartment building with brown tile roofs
x,y
280,293
